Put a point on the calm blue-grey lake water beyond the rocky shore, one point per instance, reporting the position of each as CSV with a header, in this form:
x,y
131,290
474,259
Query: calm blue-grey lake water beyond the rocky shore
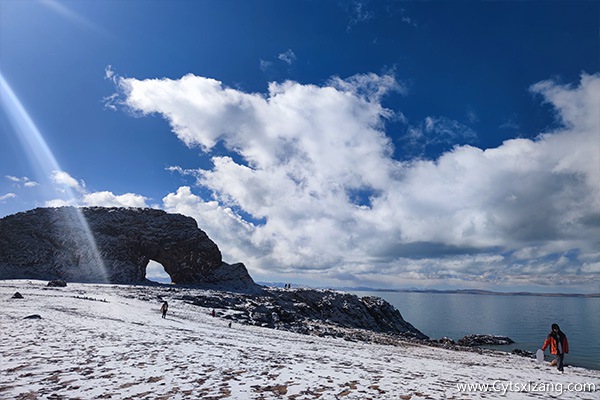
x,y
525,319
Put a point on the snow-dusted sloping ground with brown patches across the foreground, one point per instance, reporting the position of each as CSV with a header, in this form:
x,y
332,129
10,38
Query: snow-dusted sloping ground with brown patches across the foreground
x,y
108,341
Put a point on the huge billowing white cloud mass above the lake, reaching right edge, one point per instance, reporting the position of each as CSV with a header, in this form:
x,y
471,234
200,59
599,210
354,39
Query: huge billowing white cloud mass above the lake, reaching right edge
x,y
314,187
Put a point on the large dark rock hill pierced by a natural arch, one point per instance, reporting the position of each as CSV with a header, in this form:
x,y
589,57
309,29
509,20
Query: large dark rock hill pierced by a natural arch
x,y
56,243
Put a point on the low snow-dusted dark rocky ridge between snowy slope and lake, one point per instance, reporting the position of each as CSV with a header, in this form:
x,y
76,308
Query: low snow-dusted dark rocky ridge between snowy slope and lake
x,y
320,312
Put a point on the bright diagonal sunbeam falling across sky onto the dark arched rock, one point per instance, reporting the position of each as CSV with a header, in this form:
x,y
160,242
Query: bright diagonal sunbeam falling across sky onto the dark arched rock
x,y
43,160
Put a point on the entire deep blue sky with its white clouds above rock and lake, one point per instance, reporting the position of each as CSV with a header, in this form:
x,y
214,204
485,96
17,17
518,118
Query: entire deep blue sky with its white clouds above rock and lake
x,y
355,143
